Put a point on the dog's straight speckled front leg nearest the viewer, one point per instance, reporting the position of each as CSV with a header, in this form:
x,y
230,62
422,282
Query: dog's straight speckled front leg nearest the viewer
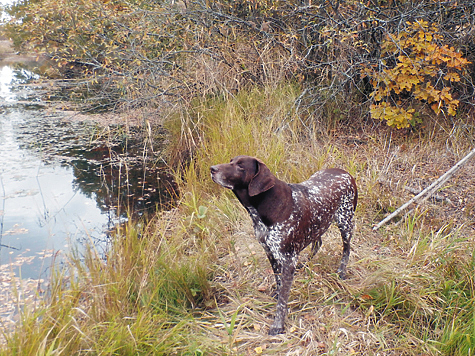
x,y
288,264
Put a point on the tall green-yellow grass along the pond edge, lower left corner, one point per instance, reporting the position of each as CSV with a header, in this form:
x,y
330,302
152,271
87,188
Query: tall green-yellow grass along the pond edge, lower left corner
x,y
140,300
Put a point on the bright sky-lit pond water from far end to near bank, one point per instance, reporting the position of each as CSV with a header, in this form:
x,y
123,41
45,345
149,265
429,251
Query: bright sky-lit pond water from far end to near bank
x,y
42,211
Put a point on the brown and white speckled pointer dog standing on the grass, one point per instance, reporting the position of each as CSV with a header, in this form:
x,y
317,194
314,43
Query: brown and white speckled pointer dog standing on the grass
x,y
288,217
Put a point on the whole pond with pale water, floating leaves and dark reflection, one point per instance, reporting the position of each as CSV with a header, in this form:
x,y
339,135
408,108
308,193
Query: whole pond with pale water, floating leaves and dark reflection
x,y
64,182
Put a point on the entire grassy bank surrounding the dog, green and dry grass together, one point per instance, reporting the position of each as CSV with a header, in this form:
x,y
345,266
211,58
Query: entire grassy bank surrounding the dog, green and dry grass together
x,y
193,281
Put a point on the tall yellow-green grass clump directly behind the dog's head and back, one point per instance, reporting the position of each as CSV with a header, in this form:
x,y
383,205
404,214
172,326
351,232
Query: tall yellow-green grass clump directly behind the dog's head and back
x,y
259,122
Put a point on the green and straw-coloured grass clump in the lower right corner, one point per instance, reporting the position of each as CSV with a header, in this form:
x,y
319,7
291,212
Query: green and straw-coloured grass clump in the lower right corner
x,y
427,291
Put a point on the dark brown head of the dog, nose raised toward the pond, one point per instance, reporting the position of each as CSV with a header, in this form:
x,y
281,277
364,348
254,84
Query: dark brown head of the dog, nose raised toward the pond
x,y
244,172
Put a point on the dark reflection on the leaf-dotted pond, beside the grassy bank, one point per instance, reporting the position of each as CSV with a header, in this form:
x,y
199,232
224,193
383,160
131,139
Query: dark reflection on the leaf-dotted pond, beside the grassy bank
x,y
121,178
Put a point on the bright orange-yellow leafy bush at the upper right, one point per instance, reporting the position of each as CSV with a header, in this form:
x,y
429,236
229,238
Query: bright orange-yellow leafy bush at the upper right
x,y
421,70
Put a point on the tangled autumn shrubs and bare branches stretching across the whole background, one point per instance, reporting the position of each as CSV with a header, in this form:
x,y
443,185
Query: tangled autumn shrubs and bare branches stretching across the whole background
x,y
144,52
